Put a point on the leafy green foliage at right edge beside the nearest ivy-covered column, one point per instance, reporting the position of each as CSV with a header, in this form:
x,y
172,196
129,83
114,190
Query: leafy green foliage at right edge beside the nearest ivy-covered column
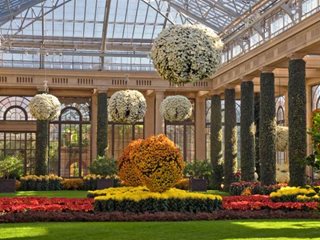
x,y
313,159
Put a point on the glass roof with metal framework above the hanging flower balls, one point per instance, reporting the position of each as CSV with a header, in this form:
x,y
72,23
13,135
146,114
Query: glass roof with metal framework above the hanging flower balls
x,y
105,34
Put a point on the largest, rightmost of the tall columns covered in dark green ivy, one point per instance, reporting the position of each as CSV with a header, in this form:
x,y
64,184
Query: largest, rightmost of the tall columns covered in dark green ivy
x,y
297,121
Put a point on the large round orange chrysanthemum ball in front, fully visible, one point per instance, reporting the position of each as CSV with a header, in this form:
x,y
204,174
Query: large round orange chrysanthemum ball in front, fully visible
x,y
160,162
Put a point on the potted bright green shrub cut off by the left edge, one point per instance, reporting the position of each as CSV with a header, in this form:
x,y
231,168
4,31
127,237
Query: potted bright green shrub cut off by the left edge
x,y
10,168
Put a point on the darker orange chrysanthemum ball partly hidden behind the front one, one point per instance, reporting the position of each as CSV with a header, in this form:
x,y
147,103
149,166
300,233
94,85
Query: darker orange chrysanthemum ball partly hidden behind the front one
x,y
128,171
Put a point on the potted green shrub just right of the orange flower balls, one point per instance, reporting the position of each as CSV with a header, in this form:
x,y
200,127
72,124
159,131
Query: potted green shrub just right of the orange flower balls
x,y
199,173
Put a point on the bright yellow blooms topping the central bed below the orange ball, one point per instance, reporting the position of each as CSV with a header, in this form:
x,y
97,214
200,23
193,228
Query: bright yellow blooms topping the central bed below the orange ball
x,y
140,193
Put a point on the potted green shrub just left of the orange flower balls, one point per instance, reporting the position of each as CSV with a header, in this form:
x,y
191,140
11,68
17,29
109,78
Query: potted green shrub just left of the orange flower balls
x,y
105,167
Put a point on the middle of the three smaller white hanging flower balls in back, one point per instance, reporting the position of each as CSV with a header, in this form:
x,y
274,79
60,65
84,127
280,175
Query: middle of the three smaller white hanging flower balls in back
x,y
127,106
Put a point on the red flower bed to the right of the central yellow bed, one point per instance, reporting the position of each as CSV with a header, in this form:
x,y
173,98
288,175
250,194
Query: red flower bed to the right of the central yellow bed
x,y
258,202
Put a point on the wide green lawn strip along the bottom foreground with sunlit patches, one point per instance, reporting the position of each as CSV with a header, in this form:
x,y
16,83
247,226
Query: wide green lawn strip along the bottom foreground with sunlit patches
x,y
199,230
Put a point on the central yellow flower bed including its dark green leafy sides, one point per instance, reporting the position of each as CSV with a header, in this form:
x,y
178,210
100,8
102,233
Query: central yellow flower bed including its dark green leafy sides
x,y
140,200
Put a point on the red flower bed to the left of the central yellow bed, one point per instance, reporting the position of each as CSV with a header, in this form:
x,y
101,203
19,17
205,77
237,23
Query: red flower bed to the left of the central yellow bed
x,y
22,204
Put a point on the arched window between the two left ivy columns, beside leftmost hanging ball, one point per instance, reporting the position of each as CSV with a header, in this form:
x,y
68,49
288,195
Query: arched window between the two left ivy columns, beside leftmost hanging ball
x,y
70,137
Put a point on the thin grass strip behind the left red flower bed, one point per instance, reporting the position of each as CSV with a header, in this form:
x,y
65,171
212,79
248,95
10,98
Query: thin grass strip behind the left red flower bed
x,y
63,194
